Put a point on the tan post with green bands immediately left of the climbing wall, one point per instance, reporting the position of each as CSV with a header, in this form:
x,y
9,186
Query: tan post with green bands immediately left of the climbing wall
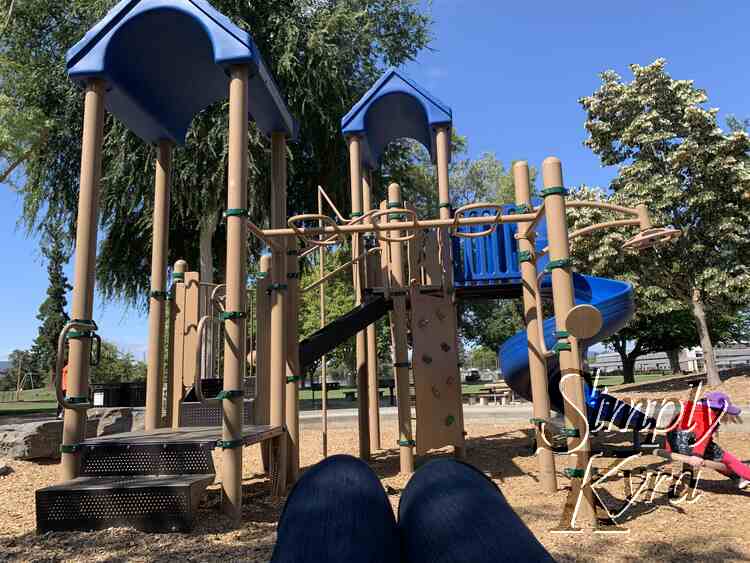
x,y
400,344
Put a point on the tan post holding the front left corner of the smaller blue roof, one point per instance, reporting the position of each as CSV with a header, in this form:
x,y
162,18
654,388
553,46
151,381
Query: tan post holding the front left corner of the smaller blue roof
x,y
355,165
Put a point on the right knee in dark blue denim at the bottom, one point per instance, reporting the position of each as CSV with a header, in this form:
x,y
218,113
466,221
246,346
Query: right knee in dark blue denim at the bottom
x,y
452,513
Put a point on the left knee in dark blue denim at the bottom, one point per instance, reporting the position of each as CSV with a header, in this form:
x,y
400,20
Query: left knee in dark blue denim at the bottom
x,y
337,511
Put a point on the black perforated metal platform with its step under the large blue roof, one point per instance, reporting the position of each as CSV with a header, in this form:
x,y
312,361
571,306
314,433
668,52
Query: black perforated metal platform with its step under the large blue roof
x,y
152,481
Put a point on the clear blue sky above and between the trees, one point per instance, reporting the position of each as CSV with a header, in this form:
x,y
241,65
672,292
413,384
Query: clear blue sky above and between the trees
x,y
512,72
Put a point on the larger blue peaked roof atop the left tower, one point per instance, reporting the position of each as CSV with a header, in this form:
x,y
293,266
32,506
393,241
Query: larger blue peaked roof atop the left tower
x,y
166,60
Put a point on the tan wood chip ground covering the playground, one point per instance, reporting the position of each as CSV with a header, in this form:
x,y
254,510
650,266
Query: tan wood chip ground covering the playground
x,y
713,528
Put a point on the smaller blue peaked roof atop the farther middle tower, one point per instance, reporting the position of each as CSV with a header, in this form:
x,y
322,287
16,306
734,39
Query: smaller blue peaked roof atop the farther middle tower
x,y
395,107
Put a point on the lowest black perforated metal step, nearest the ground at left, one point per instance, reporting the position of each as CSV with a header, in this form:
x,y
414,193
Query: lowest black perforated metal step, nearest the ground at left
x,y
147,503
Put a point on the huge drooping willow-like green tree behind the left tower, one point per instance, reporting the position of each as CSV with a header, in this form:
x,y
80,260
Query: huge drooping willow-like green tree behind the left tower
x,y
324,56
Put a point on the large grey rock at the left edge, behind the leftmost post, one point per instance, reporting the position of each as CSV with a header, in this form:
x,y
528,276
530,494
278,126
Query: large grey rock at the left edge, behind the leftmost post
x,y
36,440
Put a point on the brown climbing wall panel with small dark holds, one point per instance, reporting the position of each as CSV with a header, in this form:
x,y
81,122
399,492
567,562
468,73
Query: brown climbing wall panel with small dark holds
x,y
437,379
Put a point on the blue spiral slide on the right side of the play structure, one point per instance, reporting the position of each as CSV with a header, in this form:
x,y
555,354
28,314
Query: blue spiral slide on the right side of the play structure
x,y
614,299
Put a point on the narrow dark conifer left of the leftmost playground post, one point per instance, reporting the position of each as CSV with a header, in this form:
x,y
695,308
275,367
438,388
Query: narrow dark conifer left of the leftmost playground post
x,y
52,314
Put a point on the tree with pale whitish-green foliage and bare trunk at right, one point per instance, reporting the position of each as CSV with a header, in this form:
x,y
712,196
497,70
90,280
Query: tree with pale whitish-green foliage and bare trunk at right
x,y
673,155
